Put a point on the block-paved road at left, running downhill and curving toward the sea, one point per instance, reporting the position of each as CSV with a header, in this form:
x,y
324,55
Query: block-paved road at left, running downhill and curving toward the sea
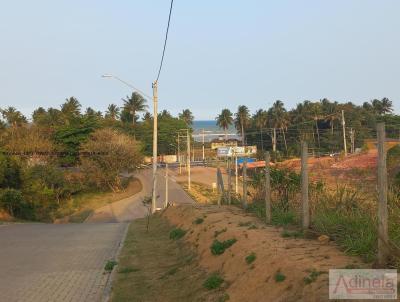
x,y
48,262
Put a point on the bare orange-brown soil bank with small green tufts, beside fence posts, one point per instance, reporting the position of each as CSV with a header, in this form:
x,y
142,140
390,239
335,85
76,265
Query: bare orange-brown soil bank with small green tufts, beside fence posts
x,y
294,258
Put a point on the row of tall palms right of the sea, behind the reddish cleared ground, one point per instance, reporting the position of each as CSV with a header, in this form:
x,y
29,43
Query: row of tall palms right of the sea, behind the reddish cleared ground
x,y
318,122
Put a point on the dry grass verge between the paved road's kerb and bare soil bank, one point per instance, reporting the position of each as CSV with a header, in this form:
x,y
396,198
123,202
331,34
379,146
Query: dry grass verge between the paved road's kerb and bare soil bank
x,y
152,267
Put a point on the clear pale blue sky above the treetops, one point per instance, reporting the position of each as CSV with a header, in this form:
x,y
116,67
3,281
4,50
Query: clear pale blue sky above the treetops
x,y
220,54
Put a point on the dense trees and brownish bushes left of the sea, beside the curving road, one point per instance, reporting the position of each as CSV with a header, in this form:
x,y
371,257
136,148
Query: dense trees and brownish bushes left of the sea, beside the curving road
x,y
62,152
